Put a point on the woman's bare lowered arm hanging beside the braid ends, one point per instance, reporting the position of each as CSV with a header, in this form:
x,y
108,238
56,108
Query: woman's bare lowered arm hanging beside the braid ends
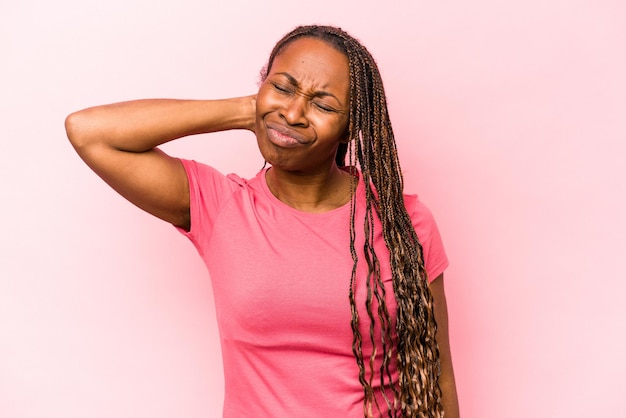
x,y
446,379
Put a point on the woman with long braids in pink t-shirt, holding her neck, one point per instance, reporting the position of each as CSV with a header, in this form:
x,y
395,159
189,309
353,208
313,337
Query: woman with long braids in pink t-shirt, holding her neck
x,y
328,281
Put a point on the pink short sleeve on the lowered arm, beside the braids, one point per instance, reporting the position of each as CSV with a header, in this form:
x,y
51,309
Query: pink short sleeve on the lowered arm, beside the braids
x,y
435,258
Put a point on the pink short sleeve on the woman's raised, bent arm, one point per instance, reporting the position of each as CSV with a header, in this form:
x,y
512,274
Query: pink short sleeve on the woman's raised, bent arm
x,y
208,191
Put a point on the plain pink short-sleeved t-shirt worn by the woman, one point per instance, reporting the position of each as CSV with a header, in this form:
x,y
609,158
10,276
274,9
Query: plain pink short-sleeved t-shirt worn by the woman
x,y
281,279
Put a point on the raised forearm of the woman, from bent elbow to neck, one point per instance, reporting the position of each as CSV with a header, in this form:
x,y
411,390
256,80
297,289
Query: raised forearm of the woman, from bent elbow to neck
x,y
141,125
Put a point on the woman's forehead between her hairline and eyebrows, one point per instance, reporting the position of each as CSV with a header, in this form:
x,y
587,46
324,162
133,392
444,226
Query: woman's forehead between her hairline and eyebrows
x,y
311,59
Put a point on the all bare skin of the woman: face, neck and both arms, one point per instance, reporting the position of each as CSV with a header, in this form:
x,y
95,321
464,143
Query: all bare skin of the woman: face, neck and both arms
x,y
299,115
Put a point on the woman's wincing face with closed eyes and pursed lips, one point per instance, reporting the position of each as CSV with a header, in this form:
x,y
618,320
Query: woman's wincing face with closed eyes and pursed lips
x,y
302,107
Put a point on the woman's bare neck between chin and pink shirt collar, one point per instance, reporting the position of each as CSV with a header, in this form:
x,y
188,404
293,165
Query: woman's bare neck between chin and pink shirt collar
x,y
310,192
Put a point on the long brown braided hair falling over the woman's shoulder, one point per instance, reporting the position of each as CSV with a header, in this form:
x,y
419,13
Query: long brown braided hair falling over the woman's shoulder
x,y
373,148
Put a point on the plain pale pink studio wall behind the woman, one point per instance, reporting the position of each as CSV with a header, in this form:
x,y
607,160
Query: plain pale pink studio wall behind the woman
x,y
511,122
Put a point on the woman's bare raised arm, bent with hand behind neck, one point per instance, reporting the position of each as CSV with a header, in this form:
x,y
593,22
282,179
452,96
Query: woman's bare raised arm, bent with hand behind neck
x,y
119,141
